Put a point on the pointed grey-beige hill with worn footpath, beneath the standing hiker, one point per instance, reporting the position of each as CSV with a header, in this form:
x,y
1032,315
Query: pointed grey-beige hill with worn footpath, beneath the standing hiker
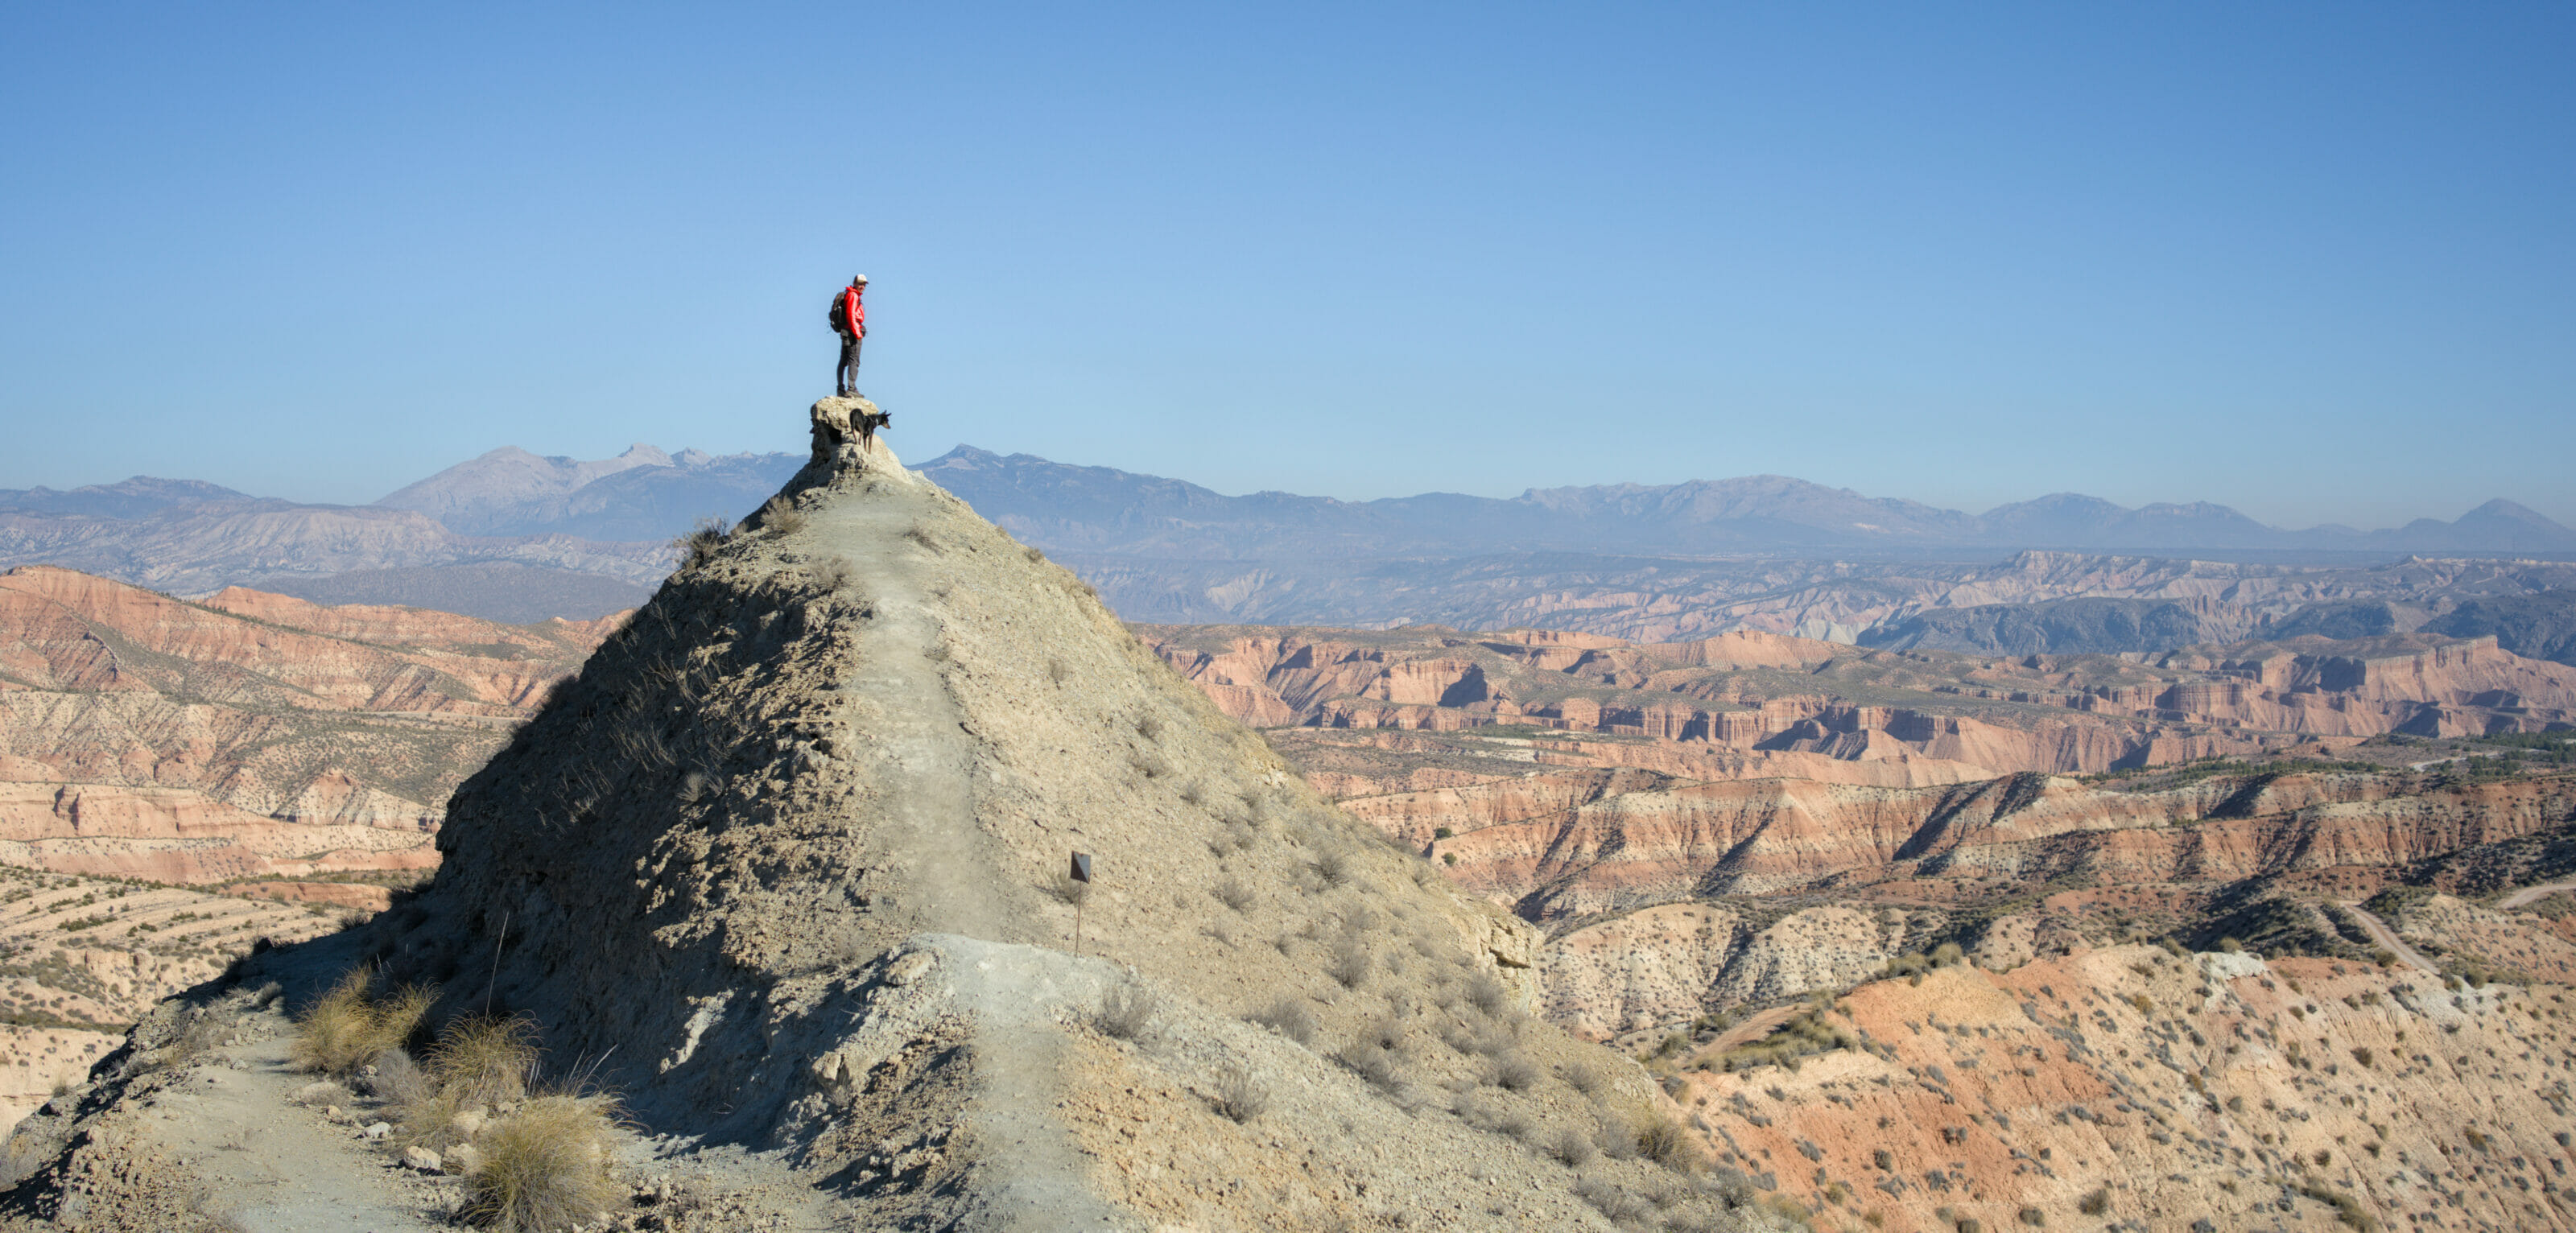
x,y
784,871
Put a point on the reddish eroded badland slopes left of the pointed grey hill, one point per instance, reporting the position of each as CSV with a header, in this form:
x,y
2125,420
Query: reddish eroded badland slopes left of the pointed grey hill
x,y
249,735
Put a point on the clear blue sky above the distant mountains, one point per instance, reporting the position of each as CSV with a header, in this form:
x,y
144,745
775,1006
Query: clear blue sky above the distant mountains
x,y
2312,261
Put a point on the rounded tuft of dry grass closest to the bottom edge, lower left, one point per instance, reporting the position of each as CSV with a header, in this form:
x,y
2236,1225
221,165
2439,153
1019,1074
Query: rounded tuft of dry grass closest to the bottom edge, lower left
x,y
545,1167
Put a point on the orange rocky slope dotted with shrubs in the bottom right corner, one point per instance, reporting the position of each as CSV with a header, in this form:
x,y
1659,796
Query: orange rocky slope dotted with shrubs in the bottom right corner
x,y
2142,1090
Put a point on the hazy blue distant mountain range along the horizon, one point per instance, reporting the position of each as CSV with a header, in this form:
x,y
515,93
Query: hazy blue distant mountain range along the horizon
x,y
519,537
